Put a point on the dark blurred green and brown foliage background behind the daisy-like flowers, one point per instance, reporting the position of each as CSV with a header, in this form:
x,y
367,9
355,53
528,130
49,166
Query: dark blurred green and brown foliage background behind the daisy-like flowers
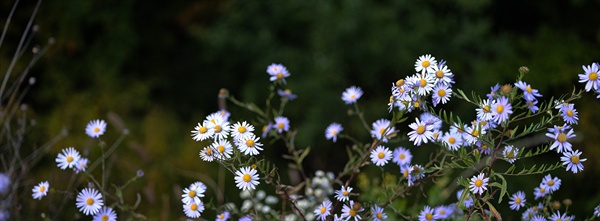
x,y
155,67
